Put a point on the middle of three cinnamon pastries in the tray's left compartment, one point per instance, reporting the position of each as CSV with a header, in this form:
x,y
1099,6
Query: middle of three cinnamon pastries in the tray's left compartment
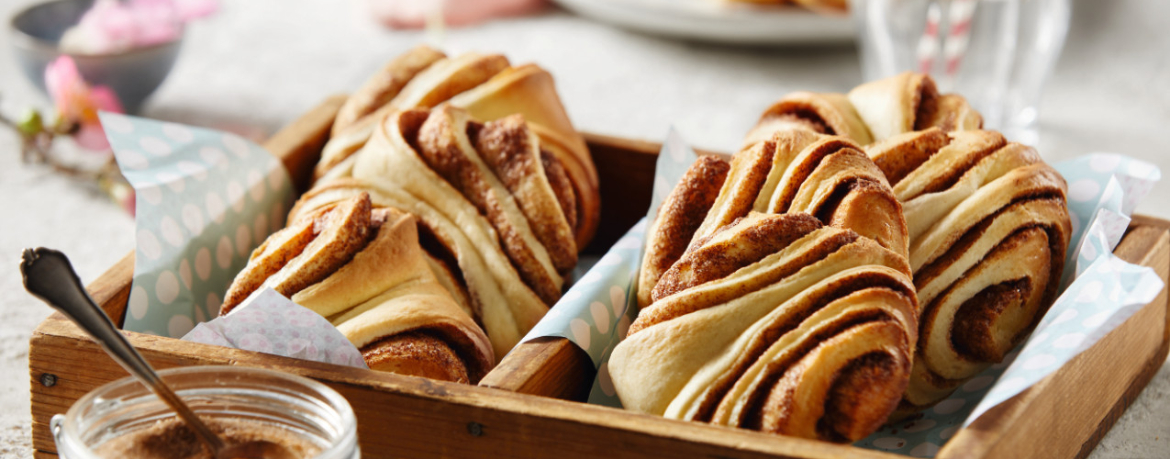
x,y
490,200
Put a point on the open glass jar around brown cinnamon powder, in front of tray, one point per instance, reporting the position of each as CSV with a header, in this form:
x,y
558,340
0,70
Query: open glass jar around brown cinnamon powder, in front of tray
x,y
302,408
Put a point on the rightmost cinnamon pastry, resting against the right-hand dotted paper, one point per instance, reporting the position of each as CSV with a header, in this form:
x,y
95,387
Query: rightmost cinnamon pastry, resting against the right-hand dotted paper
x,y
989,230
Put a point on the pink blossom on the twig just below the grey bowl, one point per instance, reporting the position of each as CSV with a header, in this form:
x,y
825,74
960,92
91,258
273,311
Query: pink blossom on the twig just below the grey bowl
x,y
79,104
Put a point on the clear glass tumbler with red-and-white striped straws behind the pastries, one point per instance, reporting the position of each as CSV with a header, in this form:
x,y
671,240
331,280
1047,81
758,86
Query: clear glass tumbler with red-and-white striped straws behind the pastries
x,y
996,53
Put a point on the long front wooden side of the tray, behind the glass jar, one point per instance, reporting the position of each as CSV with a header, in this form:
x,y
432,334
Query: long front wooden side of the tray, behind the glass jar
x,y
410,417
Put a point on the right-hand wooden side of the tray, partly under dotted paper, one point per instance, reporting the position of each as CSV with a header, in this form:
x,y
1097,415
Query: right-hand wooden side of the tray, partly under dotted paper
x,y
1066,415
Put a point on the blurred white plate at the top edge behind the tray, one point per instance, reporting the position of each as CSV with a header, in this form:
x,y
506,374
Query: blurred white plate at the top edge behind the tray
x,y
719,22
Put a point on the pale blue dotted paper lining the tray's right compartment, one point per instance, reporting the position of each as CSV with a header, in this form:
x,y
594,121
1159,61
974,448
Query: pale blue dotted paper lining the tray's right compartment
x,y
1104,189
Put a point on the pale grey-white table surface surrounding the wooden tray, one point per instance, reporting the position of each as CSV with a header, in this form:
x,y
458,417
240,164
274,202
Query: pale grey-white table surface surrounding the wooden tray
x,y
261,64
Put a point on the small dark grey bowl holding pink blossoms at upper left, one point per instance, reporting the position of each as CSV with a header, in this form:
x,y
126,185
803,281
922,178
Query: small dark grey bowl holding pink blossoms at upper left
x,y
133,76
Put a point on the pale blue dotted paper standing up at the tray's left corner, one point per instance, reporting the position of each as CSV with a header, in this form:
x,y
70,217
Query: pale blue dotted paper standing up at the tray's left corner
x,y
204,201
